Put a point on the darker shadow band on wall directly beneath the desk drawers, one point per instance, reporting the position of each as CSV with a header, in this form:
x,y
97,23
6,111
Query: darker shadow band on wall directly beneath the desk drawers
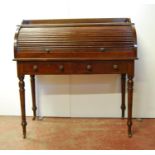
x,y
79,84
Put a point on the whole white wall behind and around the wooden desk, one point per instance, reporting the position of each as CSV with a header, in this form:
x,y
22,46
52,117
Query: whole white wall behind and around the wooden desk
x,y
83,95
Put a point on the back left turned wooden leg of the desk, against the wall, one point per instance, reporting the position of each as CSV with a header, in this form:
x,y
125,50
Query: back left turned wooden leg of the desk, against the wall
x,y
34,107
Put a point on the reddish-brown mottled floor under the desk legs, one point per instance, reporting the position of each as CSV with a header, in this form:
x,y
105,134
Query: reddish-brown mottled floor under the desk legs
x,y
76,134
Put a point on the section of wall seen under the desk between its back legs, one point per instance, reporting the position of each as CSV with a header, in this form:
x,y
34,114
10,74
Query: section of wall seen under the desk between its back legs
x,y
78,95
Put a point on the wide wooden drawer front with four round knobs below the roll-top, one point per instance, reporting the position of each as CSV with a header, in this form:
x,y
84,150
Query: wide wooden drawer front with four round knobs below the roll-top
x,y
86,67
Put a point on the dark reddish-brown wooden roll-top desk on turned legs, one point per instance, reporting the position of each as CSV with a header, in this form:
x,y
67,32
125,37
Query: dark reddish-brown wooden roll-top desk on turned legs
x,y
76,46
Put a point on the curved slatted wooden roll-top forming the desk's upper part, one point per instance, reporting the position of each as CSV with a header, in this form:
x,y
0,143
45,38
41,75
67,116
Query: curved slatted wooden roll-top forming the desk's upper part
x,y
59,38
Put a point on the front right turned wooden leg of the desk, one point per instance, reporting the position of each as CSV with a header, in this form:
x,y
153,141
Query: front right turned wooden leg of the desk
x,y
130,98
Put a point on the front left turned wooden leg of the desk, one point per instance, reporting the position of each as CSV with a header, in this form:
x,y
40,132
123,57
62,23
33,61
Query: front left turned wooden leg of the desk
x,y
22,102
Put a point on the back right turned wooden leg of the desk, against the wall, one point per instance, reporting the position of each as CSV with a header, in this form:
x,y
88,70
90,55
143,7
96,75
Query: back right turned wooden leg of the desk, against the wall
x,y
123,82
